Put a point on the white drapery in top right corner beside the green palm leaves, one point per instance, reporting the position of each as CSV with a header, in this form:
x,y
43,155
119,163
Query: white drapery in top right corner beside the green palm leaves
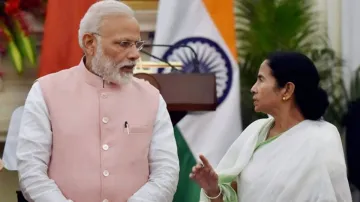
x,y
340,19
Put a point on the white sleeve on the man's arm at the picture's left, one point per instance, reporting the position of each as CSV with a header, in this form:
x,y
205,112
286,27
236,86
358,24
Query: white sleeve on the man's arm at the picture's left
x,y
34,151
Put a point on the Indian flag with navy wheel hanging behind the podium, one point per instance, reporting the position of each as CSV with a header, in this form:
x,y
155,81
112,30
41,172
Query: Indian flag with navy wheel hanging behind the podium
x,y
208,27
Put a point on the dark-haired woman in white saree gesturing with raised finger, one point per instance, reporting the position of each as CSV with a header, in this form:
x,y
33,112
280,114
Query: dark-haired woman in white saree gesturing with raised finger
x,y
292,156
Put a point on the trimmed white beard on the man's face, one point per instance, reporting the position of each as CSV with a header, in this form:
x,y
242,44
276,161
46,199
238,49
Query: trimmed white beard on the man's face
x,y
106,68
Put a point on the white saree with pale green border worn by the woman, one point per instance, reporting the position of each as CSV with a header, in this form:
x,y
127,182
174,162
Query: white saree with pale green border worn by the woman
x,y
305,163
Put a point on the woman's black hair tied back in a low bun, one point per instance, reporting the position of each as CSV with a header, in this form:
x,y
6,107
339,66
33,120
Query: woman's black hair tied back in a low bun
x,y
297,68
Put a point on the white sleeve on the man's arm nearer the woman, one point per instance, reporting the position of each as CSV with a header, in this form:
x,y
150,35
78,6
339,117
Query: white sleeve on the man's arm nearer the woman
x,y
164,162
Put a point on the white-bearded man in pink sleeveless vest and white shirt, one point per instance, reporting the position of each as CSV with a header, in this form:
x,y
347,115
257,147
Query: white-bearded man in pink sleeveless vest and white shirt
x,y
94,133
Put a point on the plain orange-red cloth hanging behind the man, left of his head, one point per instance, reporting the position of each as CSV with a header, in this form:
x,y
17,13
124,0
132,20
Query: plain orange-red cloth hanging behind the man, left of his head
x,y
60,47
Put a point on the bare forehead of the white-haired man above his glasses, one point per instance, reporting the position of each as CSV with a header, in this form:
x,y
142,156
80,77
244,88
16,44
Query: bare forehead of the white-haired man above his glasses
x,y
120,27
